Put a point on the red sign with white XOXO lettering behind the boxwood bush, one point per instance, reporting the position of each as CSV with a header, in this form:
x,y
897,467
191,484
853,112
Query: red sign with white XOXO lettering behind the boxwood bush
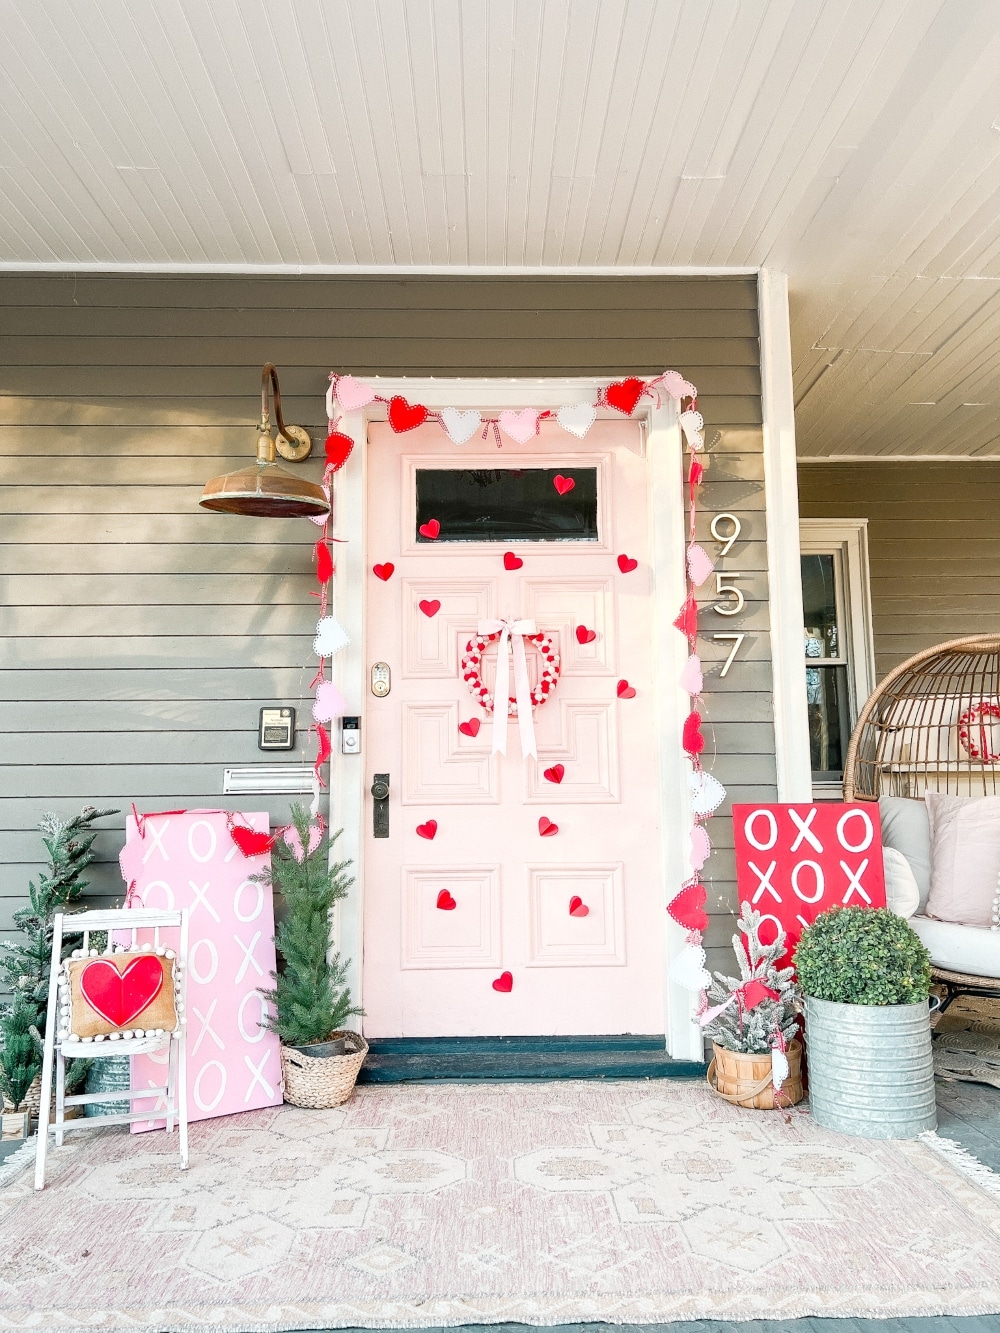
x,y
795,862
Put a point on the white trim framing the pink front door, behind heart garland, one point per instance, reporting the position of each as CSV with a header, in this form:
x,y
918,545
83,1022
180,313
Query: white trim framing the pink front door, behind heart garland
x,y
350,775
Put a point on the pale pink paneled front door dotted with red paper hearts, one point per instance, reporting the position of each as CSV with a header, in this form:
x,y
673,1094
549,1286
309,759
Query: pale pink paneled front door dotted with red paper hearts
x,y
487,895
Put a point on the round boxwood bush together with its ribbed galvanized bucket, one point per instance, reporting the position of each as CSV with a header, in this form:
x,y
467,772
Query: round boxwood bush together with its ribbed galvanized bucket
x,y
867,983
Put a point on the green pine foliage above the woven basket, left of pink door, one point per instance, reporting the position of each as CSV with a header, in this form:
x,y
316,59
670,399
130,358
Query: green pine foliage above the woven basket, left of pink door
x,y
311,996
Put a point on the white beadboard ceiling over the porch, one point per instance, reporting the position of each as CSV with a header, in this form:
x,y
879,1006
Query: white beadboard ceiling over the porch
x,y
854,145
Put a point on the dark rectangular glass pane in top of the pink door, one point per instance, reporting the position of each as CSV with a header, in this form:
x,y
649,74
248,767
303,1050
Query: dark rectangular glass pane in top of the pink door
x,y
507,505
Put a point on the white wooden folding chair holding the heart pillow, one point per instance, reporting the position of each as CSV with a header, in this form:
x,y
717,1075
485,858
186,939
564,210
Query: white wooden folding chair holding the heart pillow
x,y
58,1050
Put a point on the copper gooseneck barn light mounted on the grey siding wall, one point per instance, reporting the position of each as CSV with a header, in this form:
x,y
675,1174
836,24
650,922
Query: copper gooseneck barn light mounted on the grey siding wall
x,y
263,489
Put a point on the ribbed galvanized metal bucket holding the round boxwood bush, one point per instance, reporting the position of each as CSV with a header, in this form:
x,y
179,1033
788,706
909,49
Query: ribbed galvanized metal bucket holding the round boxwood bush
x,y
871,1068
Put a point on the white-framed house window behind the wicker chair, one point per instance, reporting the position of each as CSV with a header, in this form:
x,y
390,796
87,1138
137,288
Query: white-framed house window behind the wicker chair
x,y
838,641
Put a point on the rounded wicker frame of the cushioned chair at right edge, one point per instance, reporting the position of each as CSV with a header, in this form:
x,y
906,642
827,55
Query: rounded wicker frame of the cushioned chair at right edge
x,y
907,743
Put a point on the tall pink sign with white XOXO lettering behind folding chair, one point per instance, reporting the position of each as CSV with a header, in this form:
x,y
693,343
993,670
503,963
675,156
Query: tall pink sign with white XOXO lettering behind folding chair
x,y
187,859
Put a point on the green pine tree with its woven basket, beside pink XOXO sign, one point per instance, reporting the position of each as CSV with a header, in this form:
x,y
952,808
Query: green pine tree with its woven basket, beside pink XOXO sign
x,y
321,1062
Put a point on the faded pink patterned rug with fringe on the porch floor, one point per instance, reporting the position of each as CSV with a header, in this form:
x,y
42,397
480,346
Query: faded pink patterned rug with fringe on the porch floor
x,y
562,1203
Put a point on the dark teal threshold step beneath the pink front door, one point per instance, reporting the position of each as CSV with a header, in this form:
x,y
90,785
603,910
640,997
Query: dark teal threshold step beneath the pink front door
x,y
521,1059
